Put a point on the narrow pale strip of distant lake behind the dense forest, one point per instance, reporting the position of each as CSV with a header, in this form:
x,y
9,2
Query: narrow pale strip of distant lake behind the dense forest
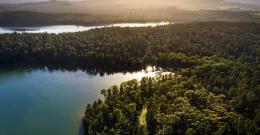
x,y
56,29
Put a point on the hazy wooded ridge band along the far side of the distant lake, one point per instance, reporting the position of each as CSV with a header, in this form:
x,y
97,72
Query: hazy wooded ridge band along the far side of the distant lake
x,y
109,16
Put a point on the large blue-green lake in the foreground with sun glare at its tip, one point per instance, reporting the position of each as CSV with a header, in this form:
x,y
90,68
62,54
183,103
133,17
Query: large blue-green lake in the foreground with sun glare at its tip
x,y
51,102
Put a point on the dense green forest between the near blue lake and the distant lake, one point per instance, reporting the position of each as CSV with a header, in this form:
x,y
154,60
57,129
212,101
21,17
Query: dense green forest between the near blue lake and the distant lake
x,y
215,89
